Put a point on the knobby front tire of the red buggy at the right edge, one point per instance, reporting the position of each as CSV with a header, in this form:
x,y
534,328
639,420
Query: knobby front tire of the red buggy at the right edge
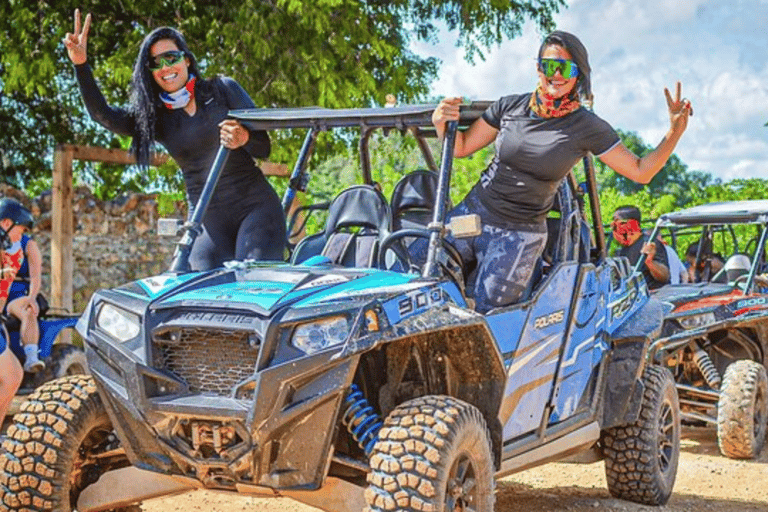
x,y
742,410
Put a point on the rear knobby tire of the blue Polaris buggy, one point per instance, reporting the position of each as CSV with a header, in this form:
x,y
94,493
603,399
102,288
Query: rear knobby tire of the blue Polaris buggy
x,y
641,458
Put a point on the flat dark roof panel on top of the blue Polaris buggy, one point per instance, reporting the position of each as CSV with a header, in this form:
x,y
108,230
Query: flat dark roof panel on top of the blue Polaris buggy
x,y
326,118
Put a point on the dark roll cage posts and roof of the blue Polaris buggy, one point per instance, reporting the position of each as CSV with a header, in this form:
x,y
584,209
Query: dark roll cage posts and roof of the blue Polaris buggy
x,y
414,118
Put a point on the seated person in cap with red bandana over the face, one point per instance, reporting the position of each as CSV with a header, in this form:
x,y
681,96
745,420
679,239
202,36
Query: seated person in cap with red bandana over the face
x,y
627,232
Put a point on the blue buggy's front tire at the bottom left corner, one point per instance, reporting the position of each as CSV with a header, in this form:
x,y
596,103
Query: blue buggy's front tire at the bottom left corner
x,y
47,457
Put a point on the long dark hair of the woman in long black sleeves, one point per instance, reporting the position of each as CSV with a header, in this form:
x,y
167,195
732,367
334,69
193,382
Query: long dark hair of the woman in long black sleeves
x,y
145,92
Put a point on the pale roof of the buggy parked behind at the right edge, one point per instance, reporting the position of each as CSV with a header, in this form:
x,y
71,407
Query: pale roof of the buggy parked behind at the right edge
x,y
755,211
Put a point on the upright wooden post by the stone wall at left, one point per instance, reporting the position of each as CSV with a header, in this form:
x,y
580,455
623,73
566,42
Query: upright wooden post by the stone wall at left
x,y
61,229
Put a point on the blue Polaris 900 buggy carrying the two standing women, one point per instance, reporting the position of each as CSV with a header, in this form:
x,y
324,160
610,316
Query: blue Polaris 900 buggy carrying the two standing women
x,y
351,377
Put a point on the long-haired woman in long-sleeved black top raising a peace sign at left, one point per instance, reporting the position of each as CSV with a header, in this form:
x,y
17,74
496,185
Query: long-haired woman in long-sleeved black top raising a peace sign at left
x,y
172,104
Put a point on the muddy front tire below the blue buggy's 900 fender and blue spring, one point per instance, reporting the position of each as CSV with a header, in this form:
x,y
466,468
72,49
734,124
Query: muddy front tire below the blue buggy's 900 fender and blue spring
x,y
433,454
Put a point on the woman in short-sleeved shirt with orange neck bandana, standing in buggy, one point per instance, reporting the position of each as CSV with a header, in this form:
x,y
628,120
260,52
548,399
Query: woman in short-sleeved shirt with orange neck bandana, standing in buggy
x,y
538,138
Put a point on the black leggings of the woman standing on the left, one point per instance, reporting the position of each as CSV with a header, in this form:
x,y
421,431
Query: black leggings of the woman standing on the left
x,y
259,236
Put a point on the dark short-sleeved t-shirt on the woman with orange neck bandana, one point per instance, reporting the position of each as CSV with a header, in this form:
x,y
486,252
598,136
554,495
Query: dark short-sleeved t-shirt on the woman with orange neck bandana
x,y
532,156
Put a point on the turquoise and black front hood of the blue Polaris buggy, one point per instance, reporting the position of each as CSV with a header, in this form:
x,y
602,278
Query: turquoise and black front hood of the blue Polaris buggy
x,y
266,293
